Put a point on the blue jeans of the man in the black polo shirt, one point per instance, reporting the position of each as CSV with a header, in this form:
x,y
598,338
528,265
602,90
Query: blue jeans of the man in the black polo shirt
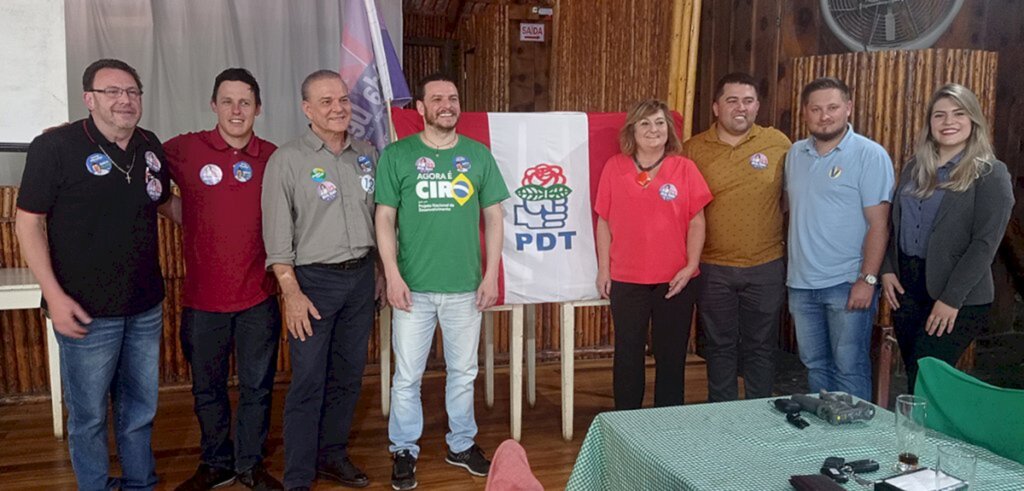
x,y
119,357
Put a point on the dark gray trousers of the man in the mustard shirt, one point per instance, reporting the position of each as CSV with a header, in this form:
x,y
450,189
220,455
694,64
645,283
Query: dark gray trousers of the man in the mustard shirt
x,y
740,311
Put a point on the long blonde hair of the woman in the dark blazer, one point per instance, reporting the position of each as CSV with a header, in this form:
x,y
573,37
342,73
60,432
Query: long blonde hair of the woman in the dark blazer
x,y
977,158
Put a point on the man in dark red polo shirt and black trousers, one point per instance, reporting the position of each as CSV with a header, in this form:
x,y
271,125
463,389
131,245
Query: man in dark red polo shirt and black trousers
x,y
229,296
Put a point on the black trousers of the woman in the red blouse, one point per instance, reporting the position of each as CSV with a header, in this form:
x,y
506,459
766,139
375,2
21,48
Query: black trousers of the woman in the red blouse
x,y
634,308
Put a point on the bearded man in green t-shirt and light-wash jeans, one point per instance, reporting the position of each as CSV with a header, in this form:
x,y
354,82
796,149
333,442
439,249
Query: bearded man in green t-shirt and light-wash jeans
x,y
432,189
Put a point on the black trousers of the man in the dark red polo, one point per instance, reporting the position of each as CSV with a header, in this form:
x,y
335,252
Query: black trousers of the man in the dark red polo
x,y
206,341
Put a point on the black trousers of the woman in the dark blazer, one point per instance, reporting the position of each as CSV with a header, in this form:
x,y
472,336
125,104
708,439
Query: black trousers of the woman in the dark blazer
x,y
911,319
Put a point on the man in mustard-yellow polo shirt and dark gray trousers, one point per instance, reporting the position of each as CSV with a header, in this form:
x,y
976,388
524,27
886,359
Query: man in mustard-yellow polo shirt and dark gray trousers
x,y
742,270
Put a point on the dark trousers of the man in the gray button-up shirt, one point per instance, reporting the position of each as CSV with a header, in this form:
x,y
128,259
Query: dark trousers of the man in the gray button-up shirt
x,y
327,370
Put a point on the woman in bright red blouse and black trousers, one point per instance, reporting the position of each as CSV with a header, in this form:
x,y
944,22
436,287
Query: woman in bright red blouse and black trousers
x,y
651,231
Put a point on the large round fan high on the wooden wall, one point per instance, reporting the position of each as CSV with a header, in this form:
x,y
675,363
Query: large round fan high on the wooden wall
x,y
878,25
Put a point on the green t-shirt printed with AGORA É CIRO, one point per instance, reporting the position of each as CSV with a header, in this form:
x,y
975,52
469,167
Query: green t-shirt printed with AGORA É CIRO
x,y
440,195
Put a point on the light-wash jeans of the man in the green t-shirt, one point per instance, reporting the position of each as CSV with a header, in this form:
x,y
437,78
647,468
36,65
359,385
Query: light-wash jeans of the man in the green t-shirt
x,y
411,340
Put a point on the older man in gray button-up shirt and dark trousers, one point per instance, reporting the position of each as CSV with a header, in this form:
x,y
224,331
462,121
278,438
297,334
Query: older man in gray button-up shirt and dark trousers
x,y
318,209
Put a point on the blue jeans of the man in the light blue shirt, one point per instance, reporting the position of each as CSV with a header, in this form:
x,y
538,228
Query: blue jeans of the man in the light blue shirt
x,y
835,343
